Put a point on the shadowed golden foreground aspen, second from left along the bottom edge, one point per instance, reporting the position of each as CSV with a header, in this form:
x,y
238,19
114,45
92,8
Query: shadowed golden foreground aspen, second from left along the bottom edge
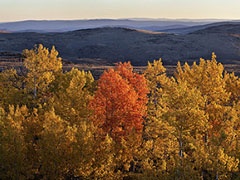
x,y
55,147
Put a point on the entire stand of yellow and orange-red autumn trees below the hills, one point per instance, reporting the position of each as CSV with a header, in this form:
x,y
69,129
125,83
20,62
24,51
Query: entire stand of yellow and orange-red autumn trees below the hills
x,y
125,125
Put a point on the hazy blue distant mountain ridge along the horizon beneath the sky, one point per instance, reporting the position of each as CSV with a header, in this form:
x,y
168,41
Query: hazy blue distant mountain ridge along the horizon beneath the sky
x,y
71,25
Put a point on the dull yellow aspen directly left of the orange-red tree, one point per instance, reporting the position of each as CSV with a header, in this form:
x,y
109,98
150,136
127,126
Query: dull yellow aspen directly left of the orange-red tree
x,y
72,92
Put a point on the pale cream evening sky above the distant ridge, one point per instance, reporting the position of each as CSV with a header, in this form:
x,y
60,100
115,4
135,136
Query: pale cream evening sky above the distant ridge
x,y
16,10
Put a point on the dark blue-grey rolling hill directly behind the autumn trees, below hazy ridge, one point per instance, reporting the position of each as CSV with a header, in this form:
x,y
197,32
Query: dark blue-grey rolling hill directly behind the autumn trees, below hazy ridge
x,y
108,45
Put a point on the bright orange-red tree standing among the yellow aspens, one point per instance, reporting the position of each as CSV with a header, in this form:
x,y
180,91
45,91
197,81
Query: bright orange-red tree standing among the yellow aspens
x,y
120,101
